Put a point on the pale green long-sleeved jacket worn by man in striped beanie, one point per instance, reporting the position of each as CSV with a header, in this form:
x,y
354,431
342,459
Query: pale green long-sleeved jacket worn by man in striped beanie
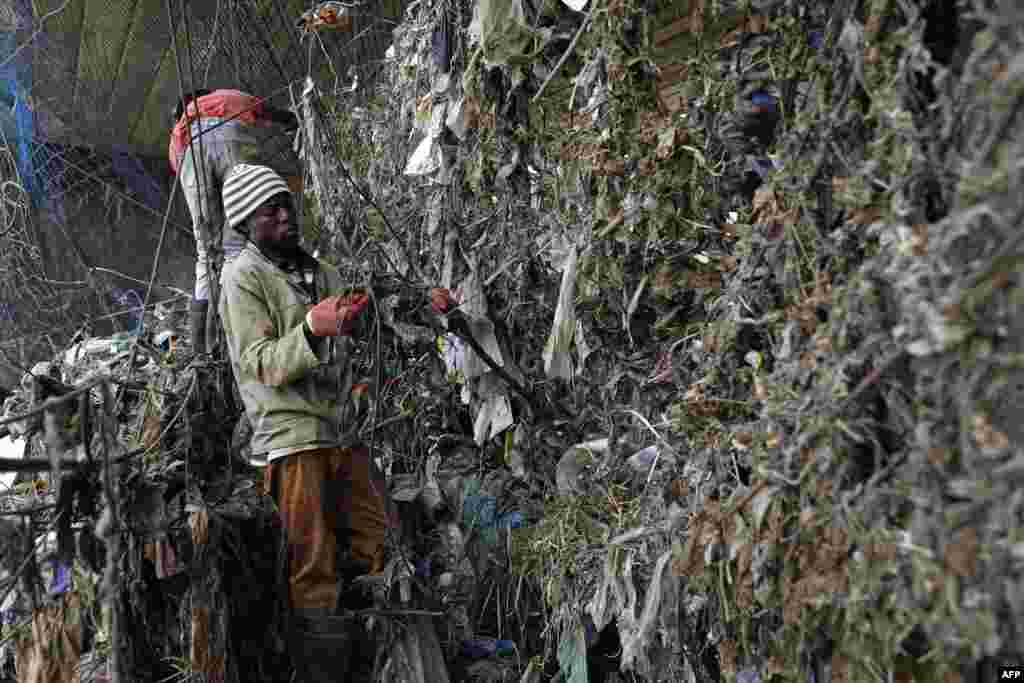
x,y
291,392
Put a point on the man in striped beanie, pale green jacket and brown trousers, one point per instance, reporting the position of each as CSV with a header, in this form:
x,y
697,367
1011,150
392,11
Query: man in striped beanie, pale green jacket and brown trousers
x,y
288,330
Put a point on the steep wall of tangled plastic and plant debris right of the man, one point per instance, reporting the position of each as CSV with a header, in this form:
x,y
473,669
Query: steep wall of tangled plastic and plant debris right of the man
x,y
773,251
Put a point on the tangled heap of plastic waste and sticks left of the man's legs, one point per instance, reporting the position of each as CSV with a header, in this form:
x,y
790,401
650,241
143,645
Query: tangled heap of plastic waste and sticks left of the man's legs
x,y
182,492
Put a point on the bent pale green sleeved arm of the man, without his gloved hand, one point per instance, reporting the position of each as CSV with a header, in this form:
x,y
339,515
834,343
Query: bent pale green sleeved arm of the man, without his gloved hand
x,y
275,358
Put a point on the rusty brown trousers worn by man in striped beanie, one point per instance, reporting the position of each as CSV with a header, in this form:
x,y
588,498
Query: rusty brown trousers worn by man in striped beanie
x,y
332,503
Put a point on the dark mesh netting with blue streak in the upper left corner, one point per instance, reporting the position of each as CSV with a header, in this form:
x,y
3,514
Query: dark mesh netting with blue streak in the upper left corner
x,y
87,90
